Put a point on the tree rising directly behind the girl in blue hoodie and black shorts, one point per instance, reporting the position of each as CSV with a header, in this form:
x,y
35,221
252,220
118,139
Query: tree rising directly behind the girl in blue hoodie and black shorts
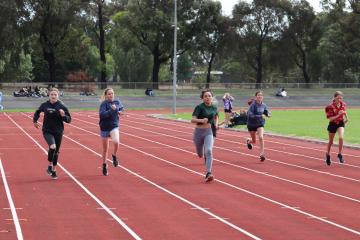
x,y
255,24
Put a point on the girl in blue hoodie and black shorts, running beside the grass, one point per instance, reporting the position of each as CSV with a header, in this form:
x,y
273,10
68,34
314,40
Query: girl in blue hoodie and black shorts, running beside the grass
x,y
256,121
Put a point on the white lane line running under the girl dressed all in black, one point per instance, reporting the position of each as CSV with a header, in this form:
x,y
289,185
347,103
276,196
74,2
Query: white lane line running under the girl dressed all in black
x,y
111,213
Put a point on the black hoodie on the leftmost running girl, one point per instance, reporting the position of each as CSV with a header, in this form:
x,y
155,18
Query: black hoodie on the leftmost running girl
x,y
53,121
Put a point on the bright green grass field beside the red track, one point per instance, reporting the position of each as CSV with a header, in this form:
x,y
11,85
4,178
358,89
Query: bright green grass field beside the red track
x,y
310,124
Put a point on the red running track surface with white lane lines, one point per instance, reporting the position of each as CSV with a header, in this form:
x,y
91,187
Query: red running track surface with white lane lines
x,y
158,191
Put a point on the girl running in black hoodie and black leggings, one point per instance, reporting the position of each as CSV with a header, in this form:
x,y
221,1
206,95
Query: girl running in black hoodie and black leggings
x,y
55,113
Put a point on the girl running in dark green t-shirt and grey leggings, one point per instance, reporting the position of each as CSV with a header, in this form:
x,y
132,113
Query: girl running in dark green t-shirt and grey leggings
x,y
205,116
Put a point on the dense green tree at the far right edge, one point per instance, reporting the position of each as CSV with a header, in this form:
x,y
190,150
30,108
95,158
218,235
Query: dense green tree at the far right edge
x,y
339,44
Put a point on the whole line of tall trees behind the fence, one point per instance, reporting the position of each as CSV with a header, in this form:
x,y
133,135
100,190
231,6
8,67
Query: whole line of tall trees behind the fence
x,y
127,41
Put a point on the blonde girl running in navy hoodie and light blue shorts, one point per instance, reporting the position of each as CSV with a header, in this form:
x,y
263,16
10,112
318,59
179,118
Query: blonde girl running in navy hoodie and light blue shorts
x,y
109,112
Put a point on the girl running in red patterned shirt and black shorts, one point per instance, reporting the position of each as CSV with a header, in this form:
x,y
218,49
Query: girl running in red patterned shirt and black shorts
x,y
336,113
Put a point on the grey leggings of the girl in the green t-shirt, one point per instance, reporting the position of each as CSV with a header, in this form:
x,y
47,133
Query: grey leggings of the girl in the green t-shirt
x,y
204,141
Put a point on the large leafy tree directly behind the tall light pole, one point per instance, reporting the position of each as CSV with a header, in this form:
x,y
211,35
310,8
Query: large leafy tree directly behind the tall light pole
x,y
151,22
